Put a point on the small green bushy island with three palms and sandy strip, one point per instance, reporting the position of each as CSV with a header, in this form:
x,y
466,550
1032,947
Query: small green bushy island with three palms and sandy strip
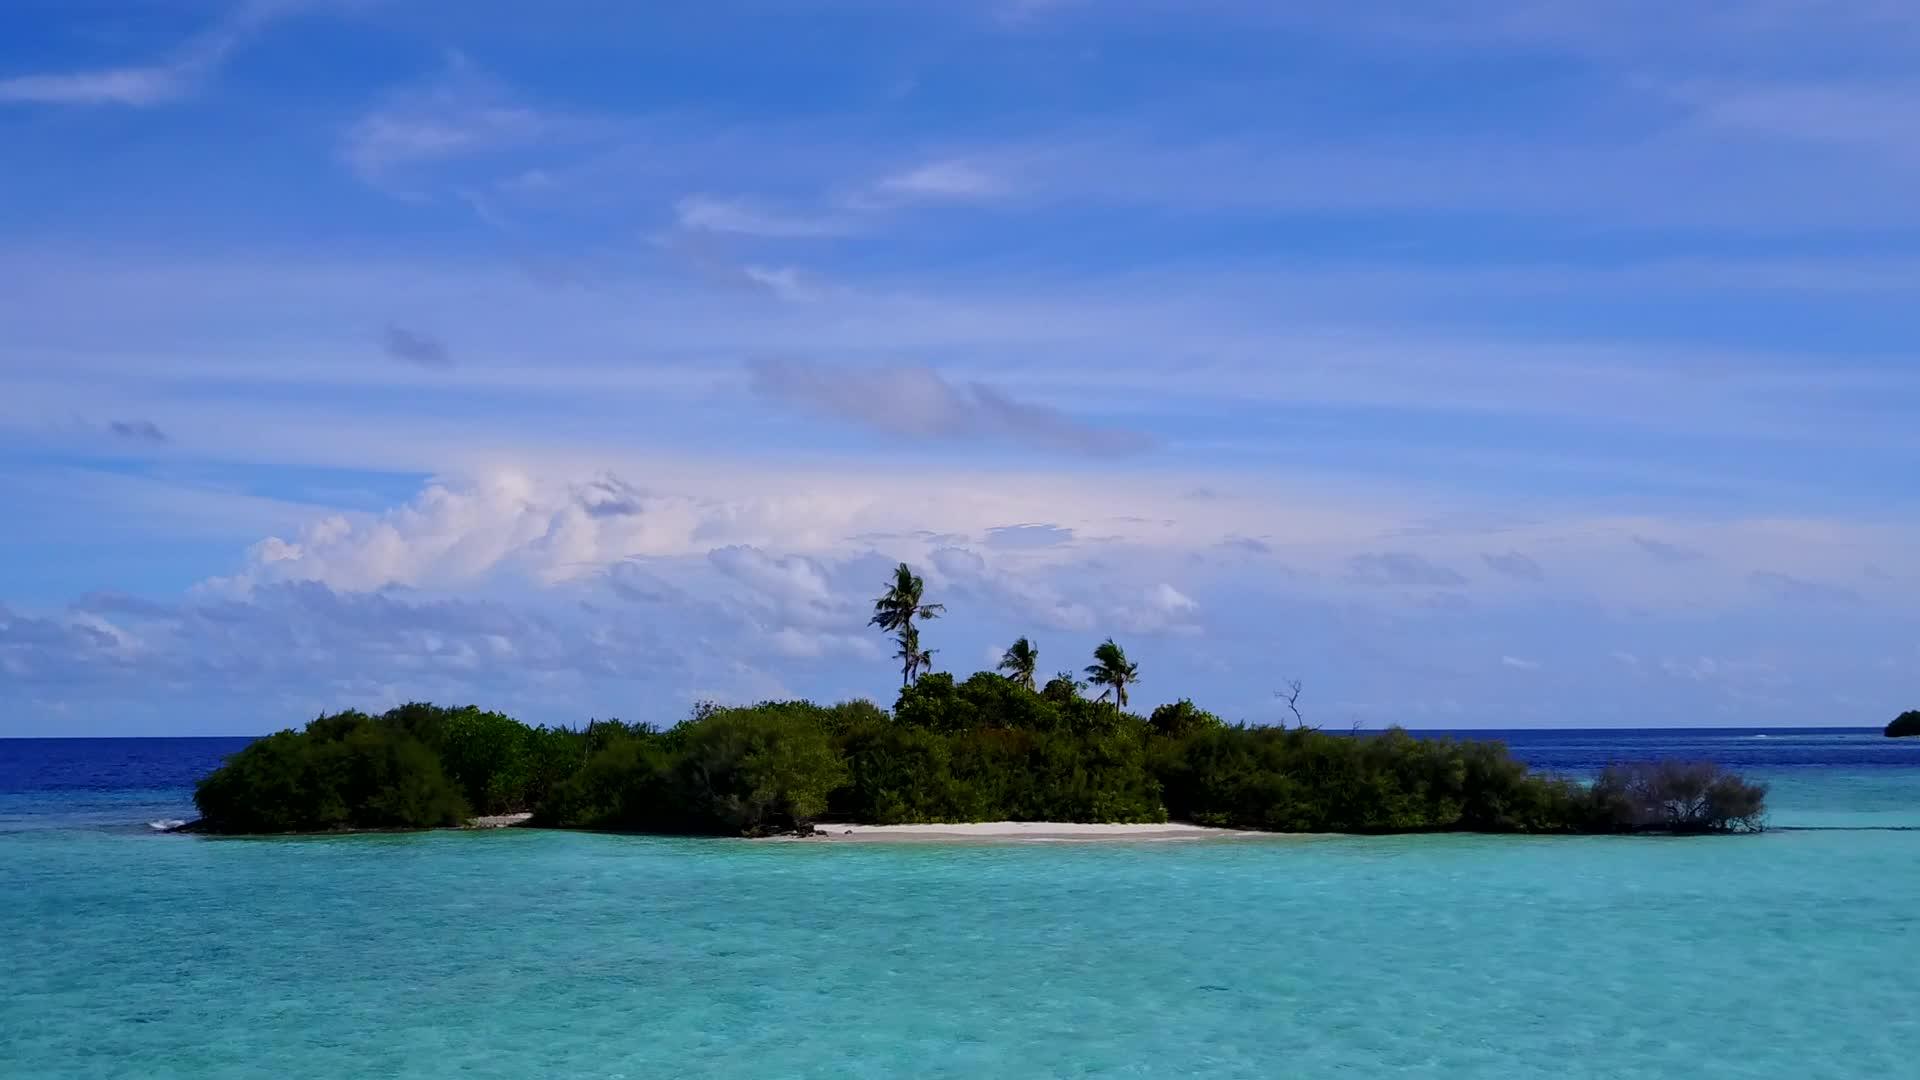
x,y
1001,747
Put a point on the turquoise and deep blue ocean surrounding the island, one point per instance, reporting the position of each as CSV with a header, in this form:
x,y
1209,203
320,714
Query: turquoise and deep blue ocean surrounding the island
x,y
525,954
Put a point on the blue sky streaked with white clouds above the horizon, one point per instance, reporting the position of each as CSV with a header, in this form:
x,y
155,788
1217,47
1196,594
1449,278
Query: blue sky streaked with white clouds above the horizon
x,y
1479,364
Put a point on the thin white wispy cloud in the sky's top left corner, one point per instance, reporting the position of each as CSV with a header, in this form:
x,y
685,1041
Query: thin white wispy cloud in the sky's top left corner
x,y
149,86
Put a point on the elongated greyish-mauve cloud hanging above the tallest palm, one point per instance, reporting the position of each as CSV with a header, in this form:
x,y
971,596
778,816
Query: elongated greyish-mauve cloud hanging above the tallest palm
x,y
917,403
